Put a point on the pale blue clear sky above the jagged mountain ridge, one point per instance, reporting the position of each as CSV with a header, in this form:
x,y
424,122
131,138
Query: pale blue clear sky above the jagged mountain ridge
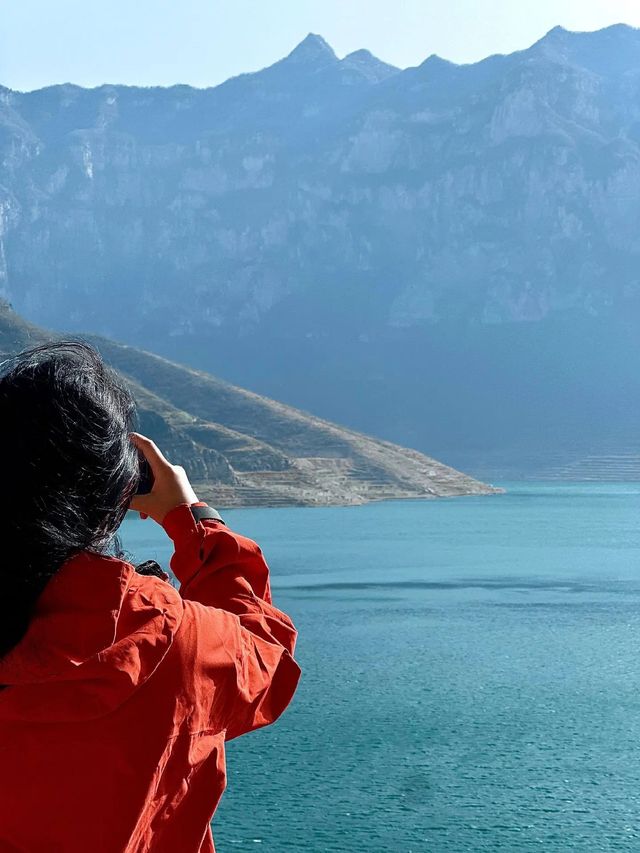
x,y
203,42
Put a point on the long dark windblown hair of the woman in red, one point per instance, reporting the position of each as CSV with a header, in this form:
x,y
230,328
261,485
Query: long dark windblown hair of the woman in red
x,y
68,468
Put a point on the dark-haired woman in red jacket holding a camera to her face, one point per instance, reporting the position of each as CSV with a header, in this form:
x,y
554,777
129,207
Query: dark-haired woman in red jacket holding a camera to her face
x,y
119,692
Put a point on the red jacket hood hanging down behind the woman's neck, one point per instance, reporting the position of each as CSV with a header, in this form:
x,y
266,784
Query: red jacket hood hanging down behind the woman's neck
x,y
98,632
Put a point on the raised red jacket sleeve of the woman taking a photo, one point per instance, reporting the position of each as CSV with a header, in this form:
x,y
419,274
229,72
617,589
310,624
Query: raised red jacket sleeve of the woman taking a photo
x,y
222,569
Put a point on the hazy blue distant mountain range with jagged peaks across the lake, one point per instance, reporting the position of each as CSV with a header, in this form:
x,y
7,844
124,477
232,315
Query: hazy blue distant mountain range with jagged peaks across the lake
x,y
446,256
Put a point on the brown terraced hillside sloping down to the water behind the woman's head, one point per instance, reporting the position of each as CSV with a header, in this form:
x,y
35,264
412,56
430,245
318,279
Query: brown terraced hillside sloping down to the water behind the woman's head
x,y
241,449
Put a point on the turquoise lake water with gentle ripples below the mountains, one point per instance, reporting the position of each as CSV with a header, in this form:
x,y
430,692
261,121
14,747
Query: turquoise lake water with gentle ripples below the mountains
x,y
471,676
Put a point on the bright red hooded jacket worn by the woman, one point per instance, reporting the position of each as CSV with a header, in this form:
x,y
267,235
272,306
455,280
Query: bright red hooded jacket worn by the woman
x,y
123,692
